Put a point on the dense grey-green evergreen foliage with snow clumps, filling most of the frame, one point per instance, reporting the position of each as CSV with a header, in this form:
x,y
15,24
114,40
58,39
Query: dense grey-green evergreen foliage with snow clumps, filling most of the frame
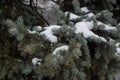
x,y
27,53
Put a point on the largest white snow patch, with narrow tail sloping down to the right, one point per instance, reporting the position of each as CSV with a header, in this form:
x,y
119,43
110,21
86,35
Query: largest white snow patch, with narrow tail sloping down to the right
x,y
84,28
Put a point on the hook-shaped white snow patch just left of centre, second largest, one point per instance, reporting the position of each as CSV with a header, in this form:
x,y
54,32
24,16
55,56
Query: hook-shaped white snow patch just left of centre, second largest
x,y
49,33
